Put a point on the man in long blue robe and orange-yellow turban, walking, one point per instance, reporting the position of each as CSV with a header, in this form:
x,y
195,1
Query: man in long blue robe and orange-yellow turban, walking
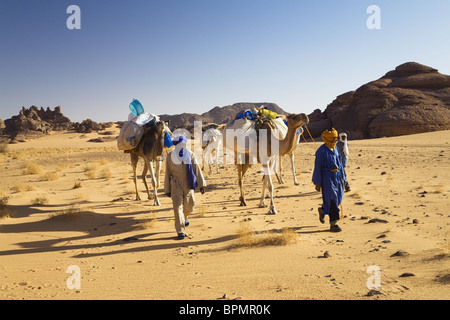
x,y
329,177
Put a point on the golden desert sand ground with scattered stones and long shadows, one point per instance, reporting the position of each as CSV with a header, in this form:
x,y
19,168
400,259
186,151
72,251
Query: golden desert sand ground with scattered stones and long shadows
x,y
69,202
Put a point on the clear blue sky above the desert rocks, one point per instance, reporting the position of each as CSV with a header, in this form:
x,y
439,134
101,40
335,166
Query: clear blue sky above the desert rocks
x,y
192,55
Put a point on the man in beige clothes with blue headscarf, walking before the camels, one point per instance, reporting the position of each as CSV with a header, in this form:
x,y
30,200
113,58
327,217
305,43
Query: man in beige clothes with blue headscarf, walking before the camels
x,y
183,175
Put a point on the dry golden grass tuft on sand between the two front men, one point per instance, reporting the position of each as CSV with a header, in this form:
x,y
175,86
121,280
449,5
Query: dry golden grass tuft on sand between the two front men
x,y
248,238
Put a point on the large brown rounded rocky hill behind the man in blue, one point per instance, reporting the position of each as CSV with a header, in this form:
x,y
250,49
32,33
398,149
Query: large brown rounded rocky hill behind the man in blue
x,y
413,98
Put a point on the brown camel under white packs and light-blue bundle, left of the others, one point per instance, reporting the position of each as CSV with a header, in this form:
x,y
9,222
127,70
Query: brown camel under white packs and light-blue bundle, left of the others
x,y
150,148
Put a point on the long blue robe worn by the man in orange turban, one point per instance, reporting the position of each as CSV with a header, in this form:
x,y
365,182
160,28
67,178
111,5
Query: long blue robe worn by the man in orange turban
x,y
332,185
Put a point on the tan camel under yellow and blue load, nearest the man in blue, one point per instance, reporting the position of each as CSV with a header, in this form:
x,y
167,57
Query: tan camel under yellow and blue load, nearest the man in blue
x,y
285,146
